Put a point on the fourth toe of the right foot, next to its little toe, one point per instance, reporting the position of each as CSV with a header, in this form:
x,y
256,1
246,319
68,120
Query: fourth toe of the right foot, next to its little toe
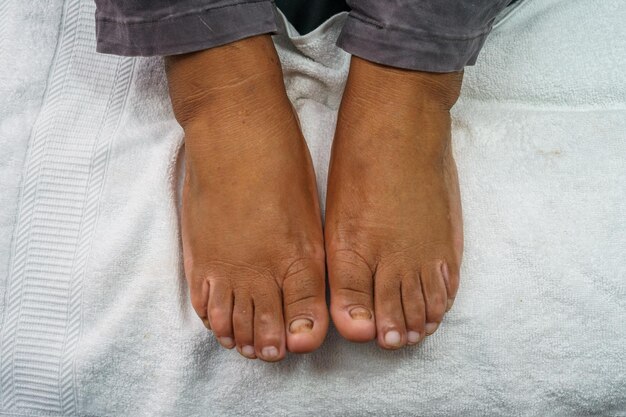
x,y
434,292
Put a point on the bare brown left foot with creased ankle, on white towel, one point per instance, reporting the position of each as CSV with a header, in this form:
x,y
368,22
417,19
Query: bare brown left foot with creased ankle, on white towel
x,y
251,228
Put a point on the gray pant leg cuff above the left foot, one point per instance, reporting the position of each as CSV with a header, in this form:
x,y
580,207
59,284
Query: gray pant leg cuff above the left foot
x,y
169,27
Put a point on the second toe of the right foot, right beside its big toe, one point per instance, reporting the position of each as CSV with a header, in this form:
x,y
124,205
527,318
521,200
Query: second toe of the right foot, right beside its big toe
x,y
390,326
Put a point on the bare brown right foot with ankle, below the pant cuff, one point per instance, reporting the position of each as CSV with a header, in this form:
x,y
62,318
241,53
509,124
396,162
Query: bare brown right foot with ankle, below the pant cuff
x,y
393,230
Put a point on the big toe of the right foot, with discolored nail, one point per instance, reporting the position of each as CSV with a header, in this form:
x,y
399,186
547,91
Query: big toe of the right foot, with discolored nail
x,y
351,297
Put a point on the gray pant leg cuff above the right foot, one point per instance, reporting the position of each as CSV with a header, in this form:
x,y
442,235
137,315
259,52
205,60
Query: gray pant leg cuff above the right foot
x,y
425,35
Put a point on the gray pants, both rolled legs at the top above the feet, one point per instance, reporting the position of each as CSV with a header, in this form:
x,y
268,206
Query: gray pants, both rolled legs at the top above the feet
x,y
426,35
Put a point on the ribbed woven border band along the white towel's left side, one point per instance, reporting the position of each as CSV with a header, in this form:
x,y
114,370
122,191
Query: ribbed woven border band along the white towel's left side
x,y
61,185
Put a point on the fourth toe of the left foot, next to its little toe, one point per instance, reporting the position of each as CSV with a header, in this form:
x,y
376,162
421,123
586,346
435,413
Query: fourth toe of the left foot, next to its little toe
x,y
220,312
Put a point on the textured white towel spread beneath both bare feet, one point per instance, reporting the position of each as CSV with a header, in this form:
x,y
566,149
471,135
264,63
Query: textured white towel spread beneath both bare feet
x,y
93,306
